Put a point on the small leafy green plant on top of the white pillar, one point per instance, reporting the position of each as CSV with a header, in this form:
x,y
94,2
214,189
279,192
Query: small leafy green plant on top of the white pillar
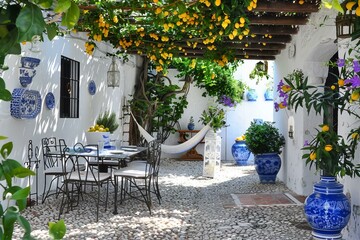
x,y
215,116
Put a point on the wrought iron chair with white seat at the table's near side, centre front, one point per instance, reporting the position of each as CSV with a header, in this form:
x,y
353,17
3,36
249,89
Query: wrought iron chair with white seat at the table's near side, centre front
x,y
77,181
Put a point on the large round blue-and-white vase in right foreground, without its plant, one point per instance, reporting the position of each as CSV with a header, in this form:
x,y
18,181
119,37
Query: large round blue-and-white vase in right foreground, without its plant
x,y
327,209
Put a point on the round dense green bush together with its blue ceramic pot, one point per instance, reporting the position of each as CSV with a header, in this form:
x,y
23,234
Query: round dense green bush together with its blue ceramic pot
x,y
265,141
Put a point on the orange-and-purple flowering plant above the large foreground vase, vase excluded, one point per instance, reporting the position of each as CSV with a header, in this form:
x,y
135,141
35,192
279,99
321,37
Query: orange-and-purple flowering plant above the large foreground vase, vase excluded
x,y
328,151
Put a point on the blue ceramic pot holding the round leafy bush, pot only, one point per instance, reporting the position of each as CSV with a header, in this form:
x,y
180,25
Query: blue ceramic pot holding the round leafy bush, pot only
x,y
267,166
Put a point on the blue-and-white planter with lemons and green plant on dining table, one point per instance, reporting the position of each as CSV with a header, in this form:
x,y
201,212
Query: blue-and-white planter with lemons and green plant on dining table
x,y
105,124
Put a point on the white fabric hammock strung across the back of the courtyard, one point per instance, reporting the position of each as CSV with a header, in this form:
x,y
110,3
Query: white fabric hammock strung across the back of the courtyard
x,y
180,148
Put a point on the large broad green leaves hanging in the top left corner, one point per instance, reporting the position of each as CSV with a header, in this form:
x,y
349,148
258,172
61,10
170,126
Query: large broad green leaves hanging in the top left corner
x,y
21,20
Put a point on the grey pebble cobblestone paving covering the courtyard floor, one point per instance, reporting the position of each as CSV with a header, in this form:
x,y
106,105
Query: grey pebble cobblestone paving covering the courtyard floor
x,y
193,207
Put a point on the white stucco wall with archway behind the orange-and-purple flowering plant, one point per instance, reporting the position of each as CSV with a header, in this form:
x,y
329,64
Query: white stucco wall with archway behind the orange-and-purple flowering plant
x,y
315,44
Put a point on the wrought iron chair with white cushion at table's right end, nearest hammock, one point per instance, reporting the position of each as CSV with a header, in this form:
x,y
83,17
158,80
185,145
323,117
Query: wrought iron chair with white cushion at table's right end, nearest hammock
x,y
136,179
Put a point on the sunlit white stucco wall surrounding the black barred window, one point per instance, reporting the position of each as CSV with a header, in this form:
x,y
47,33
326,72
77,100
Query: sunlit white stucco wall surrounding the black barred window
x,y
47,79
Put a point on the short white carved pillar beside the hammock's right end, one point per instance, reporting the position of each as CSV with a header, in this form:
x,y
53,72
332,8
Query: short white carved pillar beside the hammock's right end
x,y
212,154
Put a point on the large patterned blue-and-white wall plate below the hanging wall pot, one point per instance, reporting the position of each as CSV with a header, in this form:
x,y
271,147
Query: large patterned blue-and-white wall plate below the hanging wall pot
x,y
25,104
